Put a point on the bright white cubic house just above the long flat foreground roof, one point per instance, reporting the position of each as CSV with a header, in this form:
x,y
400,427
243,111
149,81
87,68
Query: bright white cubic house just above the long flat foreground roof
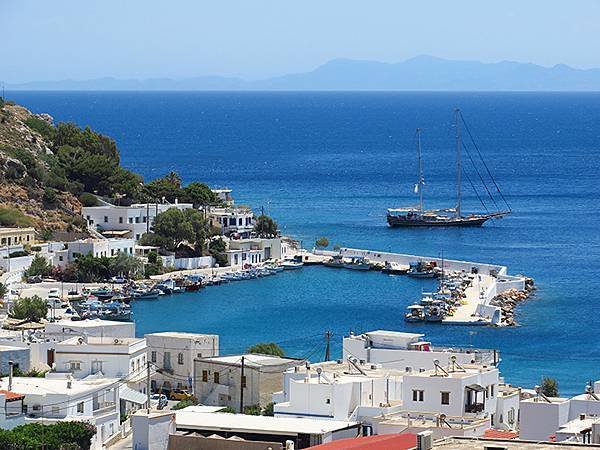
x,y
339,390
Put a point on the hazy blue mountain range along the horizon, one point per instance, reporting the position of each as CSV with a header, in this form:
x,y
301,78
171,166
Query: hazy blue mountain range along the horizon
x,y
419,73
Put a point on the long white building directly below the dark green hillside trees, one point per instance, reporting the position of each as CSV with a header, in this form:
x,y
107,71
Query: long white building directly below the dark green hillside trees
x,y
126,221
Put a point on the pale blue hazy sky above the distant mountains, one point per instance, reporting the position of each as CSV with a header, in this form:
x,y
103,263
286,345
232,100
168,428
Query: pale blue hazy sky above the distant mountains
x,y
82,39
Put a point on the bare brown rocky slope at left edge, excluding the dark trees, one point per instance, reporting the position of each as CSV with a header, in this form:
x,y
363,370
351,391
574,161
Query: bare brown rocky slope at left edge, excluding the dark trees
x,y
26,195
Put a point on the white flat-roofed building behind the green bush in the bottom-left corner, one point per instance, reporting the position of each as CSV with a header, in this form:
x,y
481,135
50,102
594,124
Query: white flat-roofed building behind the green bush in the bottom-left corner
x,y
60,397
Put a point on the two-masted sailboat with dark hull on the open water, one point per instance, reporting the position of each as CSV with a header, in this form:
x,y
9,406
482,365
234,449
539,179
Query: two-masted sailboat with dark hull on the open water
x,y
417,216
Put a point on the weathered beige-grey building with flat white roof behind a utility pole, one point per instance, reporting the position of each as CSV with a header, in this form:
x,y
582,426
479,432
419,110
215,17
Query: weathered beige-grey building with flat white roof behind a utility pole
x,y
219,381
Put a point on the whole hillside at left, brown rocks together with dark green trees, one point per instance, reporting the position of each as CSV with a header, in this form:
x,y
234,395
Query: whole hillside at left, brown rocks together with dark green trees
x,y
47,171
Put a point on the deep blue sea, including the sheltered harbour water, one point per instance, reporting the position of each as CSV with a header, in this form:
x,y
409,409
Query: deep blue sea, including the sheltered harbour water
x,y
329,164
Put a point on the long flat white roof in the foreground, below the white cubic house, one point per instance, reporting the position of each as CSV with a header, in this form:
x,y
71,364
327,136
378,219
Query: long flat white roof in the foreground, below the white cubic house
x,y
242,423
